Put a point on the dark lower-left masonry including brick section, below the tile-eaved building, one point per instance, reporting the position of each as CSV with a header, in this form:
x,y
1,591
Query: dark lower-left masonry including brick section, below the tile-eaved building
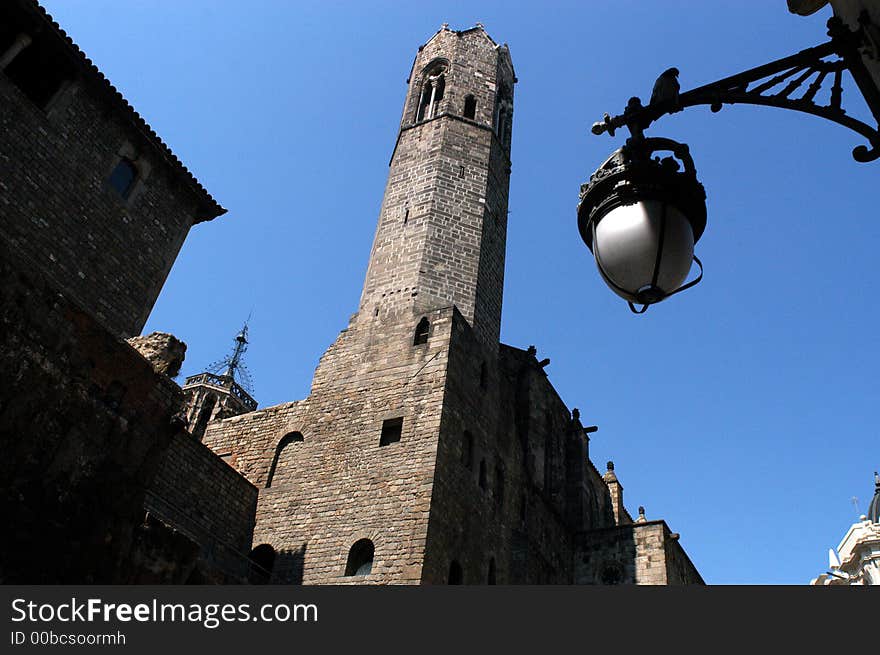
x,y
92,435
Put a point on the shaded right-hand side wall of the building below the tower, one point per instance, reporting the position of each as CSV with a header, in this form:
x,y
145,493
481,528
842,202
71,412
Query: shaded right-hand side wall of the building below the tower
x,y
520,519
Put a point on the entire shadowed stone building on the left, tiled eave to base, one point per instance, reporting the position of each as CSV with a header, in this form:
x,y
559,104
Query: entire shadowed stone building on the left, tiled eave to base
x,y
100,481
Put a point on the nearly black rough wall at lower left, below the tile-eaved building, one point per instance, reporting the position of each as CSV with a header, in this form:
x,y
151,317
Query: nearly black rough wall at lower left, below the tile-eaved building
x,y
84,424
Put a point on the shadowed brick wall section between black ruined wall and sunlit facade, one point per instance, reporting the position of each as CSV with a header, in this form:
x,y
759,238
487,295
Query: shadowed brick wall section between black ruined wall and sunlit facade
x,y
201,496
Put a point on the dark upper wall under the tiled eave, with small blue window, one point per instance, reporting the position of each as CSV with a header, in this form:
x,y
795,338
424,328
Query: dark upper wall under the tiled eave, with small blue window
x,y
108,253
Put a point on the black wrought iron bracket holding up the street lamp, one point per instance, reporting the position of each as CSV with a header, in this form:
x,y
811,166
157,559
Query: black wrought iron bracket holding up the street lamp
x,y
775,85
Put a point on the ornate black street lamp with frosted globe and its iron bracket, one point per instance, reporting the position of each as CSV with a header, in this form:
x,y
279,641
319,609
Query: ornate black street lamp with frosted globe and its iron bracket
x,y
641,215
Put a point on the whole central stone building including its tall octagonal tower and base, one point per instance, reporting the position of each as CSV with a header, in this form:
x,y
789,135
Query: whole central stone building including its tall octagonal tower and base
x,y
427,452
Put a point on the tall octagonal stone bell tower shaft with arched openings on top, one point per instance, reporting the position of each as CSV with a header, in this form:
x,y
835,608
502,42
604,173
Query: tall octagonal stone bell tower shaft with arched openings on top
x,y
442,228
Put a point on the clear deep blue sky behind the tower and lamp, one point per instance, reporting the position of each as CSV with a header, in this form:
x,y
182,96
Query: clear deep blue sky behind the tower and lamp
x,y
742,411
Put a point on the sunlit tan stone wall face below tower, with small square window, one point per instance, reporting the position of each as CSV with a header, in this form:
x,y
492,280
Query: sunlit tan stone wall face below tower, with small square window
x,y
326,480
